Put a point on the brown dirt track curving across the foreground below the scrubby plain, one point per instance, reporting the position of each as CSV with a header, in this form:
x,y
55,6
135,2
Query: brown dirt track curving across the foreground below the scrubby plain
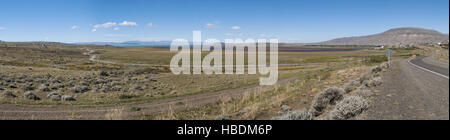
x,y
65,112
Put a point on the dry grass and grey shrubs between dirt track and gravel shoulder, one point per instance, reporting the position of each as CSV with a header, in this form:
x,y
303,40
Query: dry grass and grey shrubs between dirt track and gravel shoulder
x,y
290,101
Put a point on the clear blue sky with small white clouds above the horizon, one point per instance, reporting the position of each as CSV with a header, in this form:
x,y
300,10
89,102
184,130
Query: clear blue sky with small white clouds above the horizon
x,y
287,20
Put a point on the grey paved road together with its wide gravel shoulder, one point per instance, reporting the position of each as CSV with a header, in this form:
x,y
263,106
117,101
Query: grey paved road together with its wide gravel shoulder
x,y
411,93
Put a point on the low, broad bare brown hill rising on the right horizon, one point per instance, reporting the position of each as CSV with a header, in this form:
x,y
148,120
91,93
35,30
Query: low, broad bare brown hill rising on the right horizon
x,y
393,37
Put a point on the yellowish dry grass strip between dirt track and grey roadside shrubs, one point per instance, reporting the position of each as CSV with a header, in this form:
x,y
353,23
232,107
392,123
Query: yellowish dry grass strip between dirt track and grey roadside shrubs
x,y
265,105
